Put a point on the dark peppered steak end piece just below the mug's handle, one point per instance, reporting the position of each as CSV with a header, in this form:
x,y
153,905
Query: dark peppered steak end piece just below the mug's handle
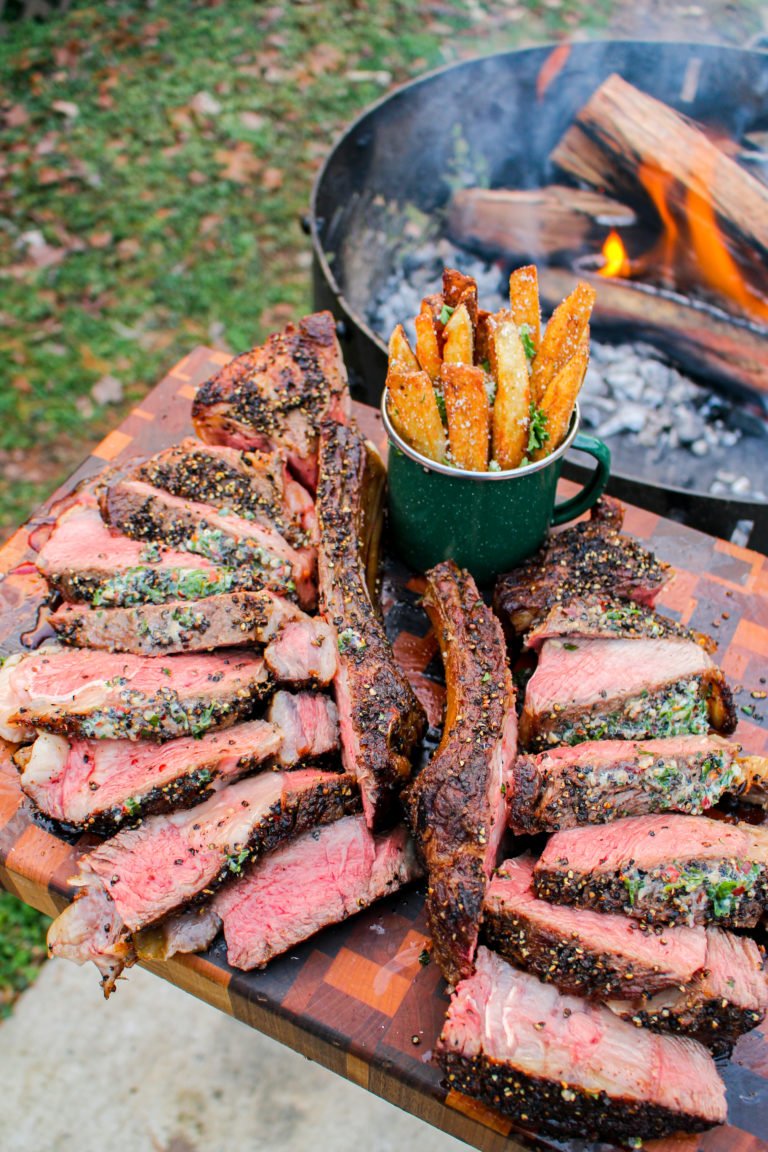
x,y
591,558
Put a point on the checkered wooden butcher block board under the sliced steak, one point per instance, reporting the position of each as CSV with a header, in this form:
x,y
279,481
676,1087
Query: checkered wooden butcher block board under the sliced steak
x,y
360,998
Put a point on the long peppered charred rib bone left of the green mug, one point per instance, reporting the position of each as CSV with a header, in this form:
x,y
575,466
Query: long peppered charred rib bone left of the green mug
x,y
381,717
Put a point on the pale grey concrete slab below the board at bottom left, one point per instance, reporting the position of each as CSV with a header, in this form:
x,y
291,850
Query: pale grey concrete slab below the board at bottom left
x,y
156,1071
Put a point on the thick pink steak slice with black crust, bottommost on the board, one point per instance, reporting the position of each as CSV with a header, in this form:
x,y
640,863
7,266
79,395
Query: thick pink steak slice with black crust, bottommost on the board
x,y
569,1067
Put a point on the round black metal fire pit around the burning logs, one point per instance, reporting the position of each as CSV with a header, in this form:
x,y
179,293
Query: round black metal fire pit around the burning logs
x,y
496,122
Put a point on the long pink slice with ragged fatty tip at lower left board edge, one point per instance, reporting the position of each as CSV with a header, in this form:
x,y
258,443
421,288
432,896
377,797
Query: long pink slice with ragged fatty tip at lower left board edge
x,y
170,862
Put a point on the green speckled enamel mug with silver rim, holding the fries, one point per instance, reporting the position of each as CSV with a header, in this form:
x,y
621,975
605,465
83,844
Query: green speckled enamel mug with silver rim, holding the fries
x,y
488,522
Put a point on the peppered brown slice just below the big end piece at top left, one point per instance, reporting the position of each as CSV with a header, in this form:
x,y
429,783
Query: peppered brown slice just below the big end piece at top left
x,y
255,486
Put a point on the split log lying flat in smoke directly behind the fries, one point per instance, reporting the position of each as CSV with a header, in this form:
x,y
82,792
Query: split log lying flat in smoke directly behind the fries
x,y
535,224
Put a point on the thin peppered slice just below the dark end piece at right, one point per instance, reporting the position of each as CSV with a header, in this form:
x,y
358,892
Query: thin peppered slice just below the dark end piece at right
x,y
588,617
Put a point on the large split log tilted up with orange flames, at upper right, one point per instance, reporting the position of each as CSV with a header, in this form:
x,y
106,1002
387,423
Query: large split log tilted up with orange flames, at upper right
x,y
635,147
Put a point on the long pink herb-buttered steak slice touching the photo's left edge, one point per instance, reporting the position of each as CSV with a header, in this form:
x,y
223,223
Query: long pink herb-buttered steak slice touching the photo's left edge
x,y
120,696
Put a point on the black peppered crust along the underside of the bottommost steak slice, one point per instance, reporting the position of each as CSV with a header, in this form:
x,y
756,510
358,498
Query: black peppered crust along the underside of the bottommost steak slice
x,y
559,1109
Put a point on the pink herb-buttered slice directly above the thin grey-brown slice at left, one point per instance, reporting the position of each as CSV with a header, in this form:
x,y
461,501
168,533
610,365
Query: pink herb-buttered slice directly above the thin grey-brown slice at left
x,y
85,560
